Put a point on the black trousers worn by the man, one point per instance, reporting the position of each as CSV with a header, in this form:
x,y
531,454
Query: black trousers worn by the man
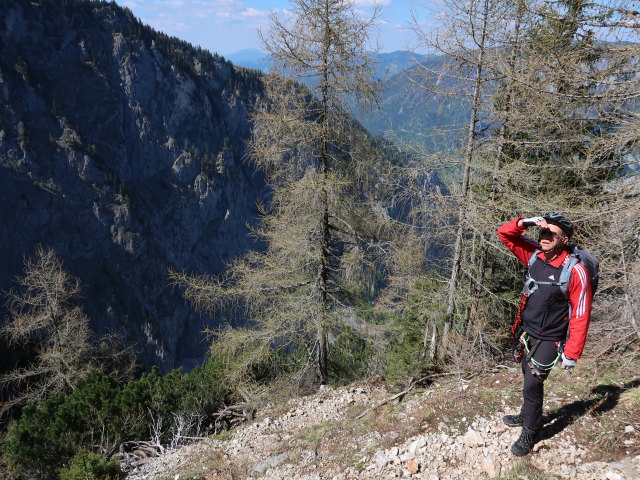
x,y
533,390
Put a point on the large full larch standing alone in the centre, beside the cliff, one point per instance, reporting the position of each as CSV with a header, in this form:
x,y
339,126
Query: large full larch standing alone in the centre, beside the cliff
x,y
299,296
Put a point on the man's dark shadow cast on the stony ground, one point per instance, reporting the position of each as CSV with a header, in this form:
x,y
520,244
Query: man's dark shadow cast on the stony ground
x,y
603,398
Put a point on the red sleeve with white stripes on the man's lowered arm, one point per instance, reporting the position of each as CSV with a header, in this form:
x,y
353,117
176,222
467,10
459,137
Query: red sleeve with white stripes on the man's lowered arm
x,y
580,299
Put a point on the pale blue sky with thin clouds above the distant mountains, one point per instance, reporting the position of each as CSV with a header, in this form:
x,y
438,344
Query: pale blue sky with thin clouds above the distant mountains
x,y
227,26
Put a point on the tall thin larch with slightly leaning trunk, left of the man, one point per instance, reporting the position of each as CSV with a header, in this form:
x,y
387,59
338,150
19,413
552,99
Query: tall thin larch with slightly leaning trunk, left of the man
x,y
472,37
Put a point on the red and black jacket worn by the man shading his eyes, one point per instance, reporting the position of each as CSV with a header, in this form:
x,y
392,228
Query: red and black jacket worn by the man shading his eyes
x,y
546,314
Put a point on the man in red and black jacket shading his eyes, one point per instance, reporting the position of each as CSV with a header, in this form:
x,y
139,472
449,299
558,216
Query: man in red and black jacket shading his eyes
x,y
553,324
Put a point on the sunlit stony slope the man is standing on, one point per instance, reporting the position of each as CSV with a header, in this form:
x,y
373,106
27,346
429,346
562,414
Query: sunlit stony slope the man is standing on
x,y
451,430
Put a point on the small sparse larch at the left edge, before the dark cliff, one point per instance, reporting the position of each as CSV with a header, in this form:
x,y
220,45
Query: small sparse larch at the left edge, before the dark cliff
x,y
46,318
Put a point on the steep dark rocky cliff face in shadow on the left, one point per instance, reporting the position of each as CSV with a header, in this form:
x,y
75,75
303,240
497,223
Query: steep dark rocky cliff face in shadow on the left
x,y
122,150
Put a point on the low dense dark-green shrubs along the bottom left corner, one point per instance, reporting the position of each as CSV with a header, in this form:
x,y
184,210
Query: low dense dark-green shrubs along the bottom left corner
x,y
101,413
